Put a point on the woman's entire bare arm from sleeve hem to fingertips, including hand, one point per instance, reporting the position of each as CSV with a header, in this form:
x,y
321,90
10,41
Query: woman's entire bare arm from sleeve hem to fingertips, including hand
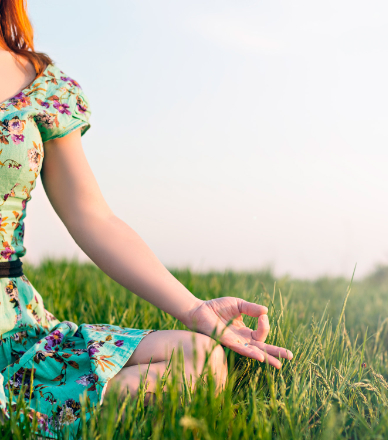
x,y
119,251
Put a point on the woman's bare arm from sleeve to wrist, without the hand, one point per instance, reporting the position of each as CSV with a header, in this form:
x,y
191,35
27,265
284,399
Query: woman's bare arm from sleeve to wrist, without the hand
x,y
115,247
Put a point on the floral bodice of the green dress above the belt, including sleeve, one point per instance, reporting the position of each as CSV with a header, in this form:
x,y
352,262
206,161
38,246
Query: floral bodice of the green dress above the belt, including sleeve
x,y
51,107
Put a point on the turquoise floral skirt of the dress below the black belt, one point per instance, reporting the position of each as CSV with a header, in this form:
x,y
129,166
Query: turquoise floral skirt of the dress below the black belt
x,y
52,364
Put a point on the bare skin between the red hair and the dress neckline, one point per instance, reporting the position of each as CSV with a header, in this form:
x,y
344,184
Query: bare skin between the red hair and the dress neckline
x,y
16,73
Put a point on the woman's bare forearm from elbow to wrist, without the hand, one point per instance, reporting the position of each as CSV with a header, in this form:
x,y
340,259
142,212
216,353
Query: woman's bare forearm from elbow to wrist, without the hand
x,y
122,254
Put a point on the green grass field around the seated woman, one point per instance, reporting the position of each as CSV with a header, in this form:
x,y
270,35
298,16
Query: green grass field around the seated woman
x,y
335,387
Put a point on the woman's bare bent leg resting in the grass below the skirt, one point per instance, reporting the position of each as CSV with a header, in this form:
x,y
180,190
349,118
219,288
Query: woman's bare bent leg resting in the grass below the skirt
x,y
159,346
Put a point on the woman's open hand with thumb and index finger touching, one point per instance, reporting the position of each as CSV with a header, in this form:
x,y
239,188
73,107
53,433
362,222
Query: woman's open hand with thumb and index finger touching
x,y
216,313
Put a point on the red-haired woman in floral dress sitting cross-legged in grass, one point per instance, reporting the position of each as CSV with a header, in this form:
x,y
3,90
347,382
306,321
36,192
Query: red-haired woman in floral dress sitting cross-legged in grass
x,y
43,114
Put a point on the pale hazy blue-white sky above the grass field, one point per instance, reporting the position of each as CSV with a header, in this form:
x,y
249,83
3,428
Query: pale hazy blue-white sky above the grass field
x,y
230,134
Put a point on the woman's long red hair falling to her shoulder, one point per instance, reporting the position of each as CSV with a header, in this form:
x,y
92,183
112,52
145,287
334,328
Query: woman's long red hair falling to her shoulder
x,y
17,34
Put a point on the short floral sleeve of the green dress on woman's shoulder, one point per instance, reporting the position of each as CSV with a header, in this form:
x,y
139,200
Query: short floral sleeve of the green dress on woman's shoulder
x,y
62,113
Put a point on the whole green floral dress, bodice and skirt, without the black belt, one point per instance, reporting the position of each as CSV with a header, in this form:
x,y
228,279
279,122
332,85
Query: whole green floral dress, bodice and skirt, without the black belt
x,y
58,361
